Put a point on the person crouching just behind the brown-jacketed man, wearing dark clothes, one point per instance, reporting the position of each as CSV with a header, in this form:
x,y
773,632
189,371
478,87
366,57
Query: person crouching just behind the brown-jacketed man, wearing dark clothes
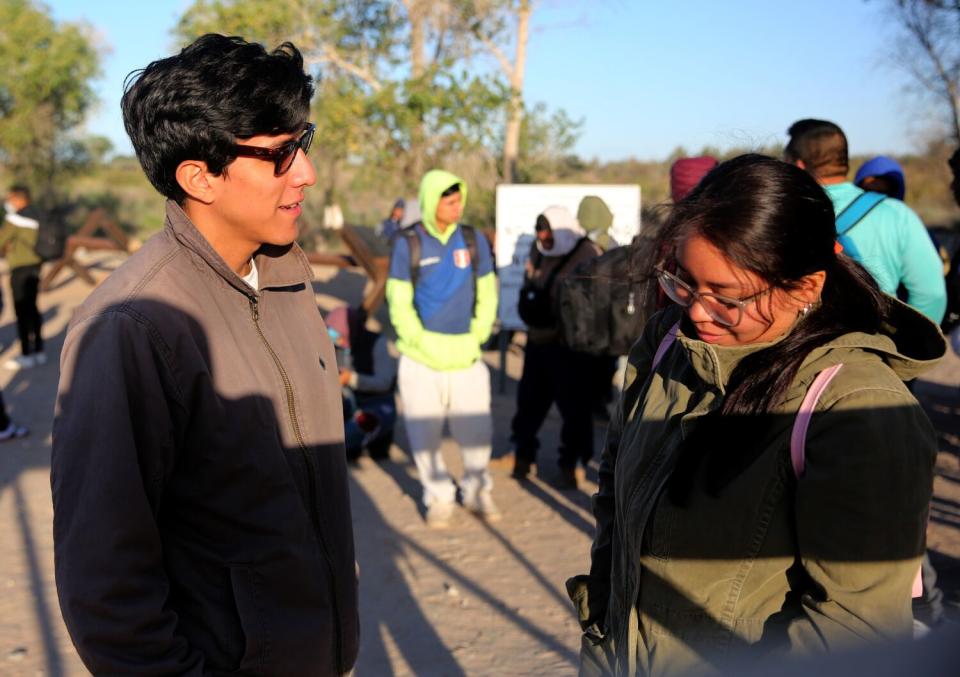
x,y
367,362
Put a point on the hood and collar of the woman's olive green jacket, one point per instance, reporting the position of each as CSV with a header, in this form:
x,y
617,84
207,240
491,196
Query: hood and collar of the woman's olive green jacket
x,y
909,344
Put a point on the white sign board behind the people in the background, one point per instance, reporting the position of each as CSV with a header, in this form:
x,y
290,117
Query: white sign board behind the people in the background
x,y
517,209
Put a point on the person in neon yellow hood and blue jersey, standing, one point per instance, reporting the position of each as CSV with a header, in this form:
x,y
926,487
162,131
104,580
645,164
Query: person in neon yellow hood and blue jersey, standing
x,y
442,315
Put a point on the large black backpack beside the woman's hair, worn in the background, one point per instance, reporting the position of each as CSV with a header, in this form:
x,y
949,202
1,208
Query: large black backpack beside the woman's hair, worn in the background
x,y
603,303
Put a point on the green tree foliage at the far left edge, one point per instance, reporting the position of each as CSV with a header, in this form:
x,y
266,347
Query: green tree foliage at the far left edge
x,y
46,69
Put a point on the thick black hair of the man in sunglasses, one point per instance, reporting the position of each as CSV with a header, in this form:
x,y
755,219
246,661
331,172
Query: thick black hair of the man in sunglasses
x,y
195,105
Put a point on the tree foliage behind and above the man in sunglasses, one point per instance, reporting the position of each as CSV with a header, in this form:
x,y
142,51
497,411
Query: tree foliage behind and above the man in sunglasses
x,y
389,95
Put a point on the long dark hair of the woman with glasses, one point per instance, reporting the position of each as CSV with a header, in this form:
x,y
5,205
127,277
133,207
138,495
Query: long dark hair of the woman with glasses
x,y
772,219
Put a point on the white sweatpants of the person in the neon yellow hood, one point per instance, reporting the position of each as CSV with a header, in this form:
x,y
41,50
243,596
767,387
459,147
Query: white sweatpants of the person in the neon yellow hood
x,y
463,397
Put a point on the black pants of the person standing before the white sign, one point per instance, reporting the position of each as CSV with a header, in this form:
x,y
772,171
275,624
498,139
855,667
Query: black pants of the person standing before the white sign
x,y
554,373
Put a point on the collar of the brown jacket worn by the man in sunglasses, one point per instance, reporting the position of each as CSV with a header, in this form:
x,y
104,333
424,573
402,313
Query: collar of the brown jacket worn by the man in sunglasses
x,y
277,266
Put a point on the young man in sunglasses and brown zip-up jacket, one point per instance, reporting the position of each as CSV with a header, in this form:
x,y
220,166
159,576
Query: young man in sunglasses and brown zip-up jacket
x,y
201,510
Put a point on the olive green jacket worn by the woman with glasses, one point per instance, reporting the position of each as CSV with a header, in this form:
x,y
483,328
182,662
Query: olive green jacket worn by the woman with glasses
x,y
770,561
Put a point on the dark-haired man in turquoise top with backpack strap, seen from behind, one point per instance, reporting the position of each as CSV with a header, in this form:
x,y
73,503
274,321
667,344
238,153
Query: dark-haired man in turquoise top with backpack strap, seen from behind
x,y
890,240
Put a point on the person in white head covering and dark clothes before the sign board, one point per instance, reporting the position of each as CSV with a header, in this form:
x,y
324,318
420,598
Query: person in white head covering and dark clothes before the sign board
x,y
552,372
